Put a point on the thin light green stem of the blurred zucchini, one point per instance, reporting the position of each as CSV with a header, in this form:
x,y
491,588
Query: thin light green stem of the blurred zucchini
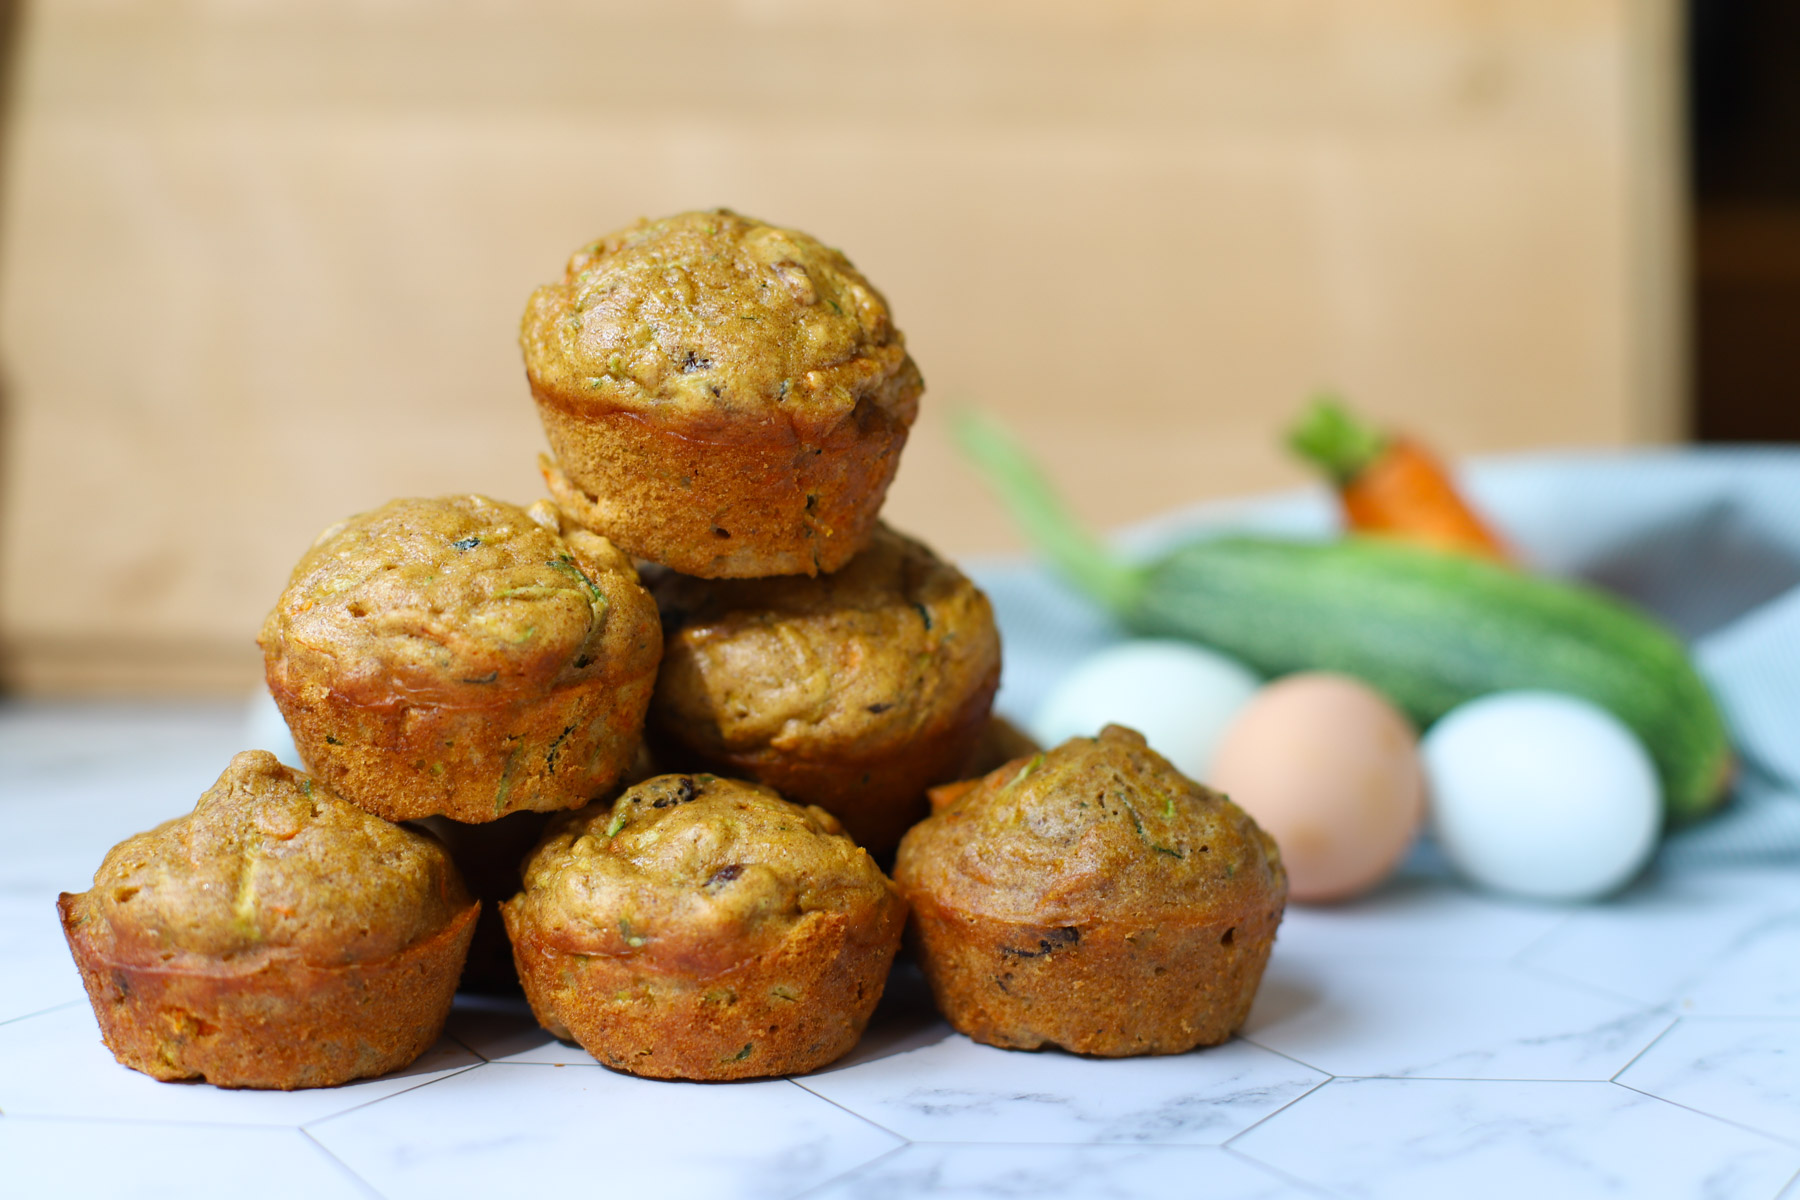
x,y
1025,492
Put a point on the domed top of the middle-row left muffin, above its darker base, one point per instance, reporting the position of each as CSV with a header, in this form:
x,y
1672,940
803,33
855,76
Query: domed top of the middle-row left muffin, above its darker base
x,y
458,602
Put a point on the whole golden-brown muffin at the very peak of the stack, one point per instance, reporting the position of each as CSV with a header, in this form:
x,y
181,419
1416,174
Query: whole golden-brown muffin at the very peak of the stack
x,y
723,397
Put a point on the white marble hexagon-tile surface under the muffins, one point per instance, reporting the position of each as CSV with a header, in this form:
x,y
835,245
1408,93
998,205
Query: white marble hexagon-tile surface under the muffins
x,y
1423,1043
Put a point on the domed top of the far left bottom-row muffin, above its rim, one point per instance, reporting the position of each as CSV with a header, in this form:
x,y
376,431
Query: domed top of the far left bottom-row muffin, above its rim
x,y
273,861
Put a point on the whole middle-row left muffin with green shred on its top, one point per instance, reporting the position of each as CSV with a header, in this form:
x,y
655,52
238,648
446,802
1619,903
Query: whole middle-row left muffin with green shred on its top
x,y
463,658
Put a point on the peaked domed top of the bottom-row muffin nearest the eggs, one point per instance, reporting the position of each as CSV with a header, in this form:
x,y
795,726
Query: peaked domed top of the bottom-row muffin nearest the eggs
x,y
1093,828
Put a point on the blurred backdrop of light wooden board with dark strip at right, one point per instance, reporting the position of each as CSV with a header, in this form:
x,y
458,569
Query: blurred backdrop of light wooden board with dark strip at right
x,y
262,262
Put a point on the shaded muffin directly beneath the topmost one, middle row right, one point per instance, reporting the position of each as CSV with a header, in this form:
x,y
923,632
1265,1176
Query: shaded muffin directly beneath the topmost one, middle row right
x,y
854,692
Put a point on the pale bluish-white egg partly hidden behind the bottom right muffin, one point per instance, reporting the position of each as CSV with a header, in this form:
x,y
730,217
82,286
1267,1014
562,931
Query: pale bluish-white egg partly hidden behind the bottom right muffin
x,y
1178,695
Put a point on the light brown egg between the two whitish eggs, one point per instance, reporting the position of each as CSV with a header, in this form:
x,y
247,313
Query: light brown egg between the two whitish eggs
x,y
1331,771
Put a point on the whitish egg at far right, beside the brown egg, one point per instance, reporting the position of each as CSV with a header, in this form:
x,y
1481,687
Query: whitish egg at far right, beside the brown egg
x,y
1542,796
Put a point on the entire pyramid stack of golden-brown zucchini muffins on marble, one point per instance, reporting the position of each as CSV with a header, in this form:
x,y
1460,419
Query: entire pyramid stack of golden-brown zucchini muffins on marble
x,y
710,616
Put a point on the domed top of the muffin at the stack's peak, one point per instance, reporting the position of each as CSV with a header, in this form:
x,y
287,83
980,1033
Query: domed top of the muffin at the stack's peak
x,y
712,316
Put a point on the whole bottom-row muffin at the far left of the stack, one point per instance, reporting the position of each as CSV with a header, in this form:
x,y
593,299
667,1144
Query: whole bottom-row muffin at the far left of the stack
x,y
274,938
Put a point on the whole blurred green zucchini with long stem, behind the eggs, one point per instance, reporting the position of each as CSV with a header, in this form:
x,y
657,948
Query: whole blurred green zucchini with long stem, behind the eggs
x,y
1425,627
